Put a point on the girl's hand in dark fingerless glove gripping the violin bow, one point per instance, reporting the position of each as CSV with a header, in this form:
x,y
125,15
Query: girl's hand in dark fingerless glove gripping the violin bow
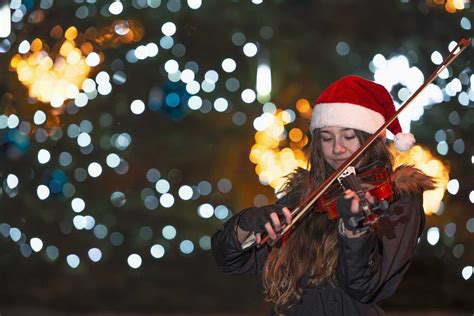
x,y
268,219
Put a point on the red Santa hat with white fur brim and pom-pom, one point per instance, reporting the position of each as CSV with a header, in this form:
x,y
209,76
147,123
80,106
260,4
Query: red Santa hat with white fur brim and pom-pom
x,y
354,102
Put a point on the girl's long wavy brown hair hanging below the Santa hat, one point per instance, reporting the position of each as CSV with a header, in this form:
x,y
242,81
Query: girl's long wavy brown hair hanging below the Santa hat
x,y
308,257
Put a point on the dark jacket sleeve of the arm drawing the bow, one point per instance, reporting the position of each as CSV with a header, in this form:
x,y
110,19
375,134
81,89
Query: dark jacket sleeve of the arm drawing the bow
x,y
230,256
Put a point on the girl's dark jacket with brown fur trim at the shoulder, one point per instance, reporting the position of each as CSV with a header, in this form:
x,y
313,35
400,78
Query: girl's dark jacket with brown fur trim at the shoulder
x,y
370,267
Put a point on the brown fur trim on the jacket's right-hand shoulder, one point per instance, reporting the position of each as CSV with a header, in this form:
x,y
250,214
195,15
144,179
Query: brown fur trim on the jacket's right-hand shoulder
x,y
408,179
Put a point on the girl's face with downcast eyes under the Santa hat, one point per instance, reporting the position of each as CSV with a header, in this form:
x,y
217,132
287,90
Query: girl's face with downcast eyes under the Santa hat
x,y
338,144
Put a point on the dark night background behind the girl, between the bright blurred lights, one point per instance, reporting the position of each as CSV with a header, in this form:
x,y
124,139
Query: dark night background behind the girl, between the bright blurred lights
x,y
302,40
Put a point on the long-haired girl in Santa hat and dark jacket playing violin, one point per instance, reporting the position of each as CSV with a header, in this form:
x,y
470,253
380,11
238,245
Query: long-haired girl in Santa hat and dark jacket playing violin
x,y
324,266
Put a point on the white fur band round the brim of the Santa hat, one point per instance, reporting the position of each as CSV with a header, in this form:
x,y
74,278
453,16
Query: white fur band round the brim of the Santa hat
x,y
346,115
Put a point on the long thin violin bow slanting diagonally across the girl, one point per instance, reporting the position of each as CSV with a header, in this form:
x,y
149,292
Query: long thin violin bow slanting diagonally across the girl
x,y
306,204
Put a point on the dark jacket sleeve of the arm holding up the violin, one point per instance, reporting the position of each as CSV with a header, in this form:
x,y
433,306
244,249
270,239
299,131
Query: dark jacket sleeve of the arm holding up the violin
x,y
370,267
